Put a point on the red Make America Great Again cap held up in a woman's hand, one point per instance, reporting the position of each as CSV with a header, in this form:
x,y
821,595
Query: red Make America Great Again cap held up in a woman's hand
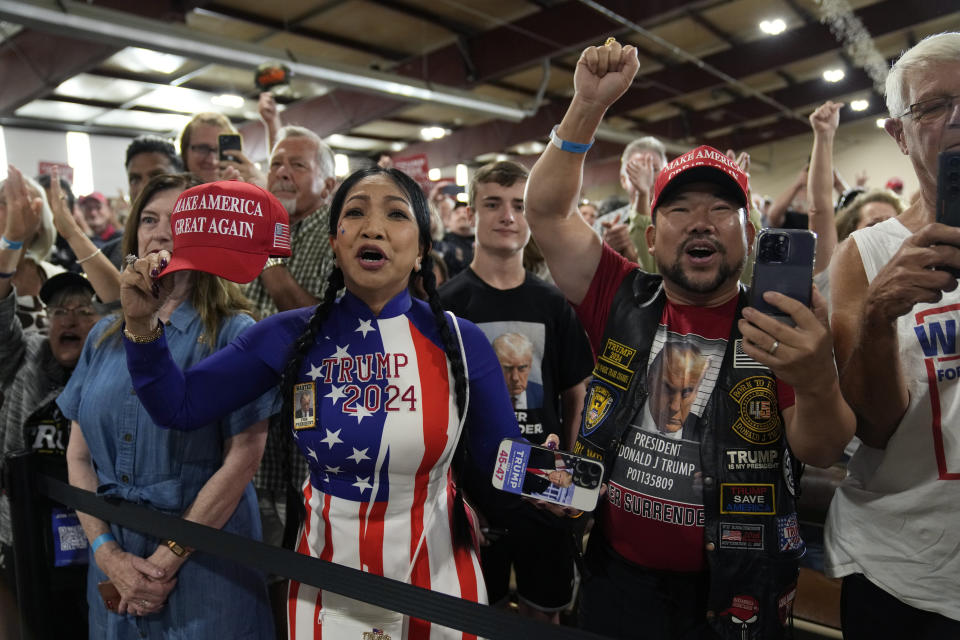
x,y
228,228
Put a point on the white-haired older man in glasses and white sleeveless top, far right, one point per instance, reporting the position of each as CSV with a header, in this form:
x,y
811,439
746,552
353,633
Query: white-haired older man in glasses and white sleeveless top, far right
x,y
894,526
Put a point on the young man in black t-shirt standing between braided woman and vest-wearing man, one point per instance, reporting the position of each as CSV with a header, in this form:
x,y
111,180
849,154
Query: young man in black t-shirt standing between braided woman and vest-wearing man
x,y
546,359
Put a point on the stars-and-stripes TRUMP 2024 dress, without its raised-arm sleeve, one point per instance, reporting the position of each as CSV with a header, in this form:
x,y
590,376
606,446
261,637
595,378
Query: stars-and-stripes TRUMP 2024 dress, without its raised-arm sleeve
x,y
379,496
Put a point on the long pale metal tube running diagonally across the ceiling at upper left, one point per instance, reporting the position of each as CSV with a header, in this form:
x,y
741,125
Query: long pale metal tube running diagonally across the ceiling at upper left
x,y
109,26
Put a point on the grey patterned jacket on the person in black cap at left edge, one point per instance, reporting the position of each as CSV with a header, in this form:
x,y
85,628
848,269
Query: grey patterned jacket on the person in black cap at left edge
x,y
30,377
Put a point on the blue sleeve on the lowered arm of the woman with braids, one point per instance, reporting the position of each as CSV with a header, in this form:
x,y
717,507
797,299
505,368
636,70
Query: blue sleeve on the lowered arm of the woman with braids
x,y
490,416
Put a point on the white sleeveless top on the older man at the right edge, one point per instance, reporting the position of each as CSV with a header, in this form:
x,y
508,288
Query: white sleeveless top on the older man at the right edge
x,y
896,517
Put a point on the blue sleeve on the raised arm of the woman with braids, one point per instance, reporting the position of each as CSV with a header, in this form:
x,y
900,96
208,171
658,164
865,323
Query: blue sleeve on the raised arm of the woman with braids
x,y
217,385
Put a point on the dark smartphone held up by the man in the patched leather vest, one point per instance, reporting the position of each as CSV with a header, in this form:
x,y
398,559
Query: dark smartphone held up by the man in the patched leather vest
x,y
784,263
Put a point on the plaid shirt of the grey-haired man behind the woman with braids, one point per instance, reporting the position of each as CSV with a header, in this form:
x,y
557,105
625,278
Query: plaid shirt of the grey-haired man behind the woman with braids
x,y
310,263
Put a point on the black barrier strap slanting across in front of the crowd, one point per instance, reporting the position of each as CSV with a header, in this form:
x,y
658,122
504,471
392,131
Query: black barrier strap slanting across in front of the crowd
x,y
417,602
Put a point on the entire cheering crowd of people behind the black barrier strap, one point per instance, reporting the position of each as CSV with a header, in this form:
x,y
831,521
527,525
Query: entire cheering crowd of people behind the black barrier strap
x,y
337,376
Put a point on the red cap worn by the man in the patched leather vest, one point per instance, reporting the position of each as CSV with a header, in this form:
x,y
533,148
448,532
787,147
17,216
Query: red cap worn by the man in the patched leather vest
x,y
703,164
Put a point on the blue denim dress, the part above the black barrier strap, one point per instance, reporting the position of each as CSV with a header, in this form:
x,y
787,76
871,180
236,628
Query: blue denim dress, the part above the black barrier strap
x,y
134,458
